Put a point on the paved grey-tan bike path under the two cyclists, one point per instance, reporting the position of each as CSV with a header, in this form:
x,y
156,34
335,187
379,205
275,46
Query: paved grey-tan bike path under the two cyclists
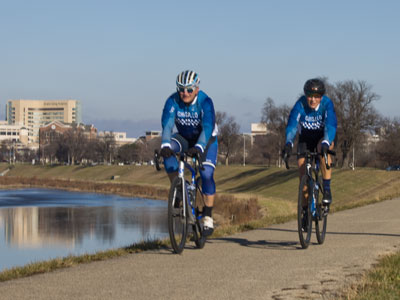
x,y
260,264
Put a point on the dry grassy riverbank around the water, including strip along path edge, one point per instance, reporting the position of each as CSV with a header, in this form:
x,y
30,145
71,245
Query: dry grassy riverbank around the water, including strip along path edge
x,y
272,191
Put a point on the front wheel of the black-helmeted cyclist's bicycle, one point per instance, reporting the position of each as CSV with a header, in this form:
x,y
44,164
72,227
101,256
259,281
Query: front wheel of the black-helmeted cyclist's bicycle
x,y
304,218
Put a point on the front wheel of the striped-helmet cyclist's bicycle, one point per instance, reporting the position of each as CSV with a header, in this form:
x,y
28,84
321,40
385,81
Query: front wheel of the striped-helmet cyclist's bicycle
x,y
177,219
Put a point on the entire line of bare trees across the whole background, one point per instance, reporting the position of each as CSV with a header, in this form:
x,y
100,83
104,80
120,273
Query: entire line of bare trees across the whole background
x,y
365,137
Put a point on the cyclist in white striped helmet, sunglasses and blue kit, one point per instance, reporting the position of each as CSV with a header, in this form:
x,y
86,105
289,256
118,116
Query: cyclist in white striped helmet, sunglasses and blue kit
x,y
191,111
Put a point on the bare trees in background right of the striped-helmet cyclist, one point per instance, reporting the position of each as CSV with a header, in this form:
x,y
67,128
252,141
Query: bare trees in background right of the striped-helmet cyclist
x,y
365,137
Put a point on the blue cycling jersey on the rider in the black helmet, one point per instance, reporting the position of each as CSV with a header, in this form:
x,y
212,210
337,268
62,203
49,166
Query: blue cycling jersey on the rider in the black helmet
x,y
310,122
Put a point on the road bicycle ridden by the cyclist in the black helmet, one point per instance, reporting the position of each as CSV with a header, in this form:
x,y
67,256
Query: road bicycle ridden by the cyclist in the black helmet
x,y
310,192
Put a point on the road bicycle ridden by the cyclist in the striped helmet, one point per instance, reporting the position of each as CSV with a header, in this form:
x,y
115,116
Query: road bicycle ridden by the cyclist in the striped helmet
x,y
184,201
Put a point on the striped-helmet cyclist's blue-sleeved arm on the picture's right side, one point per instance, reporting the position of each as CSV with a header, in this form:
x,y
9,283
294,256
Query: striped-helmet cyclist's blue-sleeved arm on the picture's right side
x,y
208,123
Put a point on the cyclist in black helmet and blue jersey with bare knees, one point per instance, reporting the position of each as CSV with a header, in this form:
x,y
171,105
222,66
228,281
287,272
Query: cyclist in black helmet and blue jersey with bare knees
x,y
314,118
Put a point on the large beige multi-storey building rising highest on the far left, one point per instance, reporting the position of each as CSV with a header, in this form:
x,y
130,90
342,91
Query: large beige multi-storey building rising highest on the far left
x,y
34,113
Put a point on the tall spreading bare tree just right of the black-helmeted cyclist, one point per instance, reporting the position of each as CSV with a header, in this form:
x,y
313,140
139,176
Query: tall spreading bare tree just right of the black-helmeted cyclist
x,y
355,112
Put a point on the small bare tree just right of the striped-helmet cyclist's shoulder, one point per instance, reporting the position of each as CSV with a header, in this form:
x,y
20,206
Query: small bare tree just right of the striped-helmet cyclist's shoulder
x,y
228,134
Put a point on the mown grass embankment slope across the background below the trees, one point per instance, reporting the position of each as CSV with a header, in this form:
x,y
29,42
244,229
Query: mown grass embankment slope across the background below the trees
x,y
268,185
